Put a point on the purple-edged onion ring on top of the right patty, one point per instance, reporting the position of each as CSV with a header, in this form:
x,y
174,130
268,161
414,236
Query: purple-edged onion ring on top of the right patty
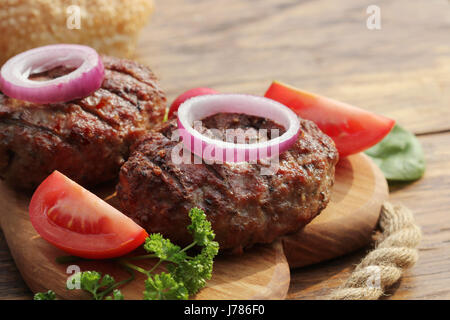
x,y
201,107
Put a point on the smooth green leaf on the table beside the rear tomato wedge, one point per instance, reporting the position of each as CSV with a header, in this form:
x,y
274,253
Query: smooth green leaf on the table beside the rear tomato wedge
x,y
399,156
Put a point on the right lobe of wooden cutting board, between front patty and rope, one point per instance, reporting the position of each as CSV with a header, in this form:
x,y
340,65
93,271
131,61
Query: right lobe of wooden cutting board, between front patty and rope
x,y
349,220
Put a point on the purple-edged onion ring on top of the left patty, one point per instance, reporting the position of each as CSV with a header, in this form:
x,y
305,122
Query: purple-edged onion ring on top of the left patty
x,y
84,80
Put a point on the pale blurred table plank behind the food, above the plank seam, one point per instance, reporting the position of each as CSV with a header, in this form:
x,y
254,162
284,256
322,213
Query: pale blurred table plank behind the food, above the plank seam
x,y
322,46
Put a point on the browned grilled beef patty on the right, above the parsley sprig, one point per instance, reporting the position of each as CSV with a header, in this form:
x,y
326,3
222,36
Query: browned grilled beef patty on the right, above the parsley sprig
x,y
243,206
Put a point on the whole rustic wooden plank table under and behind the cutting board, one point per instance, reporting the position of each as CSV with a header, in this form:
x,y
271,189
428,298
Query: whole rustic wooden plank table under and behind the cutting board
x,y
401,71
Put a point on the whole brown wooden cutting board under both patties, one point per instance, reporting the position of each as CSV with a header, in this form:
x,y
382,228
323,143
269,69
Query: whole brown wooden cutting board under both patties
x,y
262,272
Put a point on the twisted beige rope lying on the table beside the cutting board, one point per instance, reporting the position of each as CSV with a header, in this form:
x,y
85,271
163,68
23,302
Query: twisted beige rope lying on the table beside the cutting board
x,y
394,252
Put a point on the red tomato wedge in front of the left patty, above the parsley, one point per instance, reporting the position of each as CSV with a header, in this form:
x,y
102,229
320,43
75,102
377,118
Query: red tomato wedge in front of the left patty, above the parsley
x,y
80,223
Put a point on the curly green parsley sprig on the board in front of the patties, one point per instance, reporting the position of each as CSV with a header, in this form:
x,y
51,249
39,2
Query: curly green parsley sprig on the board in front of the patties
x,y
186,274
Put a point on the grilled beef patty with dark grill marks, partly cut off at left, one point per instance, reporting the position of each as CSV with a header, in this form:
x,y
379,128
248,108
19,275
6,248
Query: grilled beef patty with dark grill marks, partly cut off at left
x,y
86,139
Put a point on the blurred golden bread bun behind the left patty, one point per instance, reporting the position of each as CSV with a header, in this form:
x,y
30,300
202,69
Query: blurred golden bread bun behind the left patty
x,y
109,26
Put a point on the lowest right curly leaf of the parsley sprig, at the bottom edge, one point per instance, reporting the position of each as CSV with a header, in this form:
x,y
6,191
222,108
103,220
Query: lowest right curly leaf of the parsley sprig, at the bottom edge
x,y
164,287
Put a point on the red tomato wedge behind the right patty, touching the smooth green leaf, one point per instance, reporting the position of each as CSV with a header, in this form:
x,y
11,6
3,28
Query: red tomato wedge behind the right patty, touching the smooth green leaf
x,y
352,129
